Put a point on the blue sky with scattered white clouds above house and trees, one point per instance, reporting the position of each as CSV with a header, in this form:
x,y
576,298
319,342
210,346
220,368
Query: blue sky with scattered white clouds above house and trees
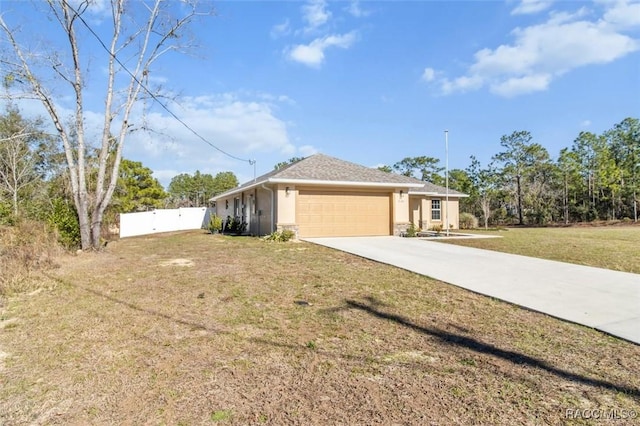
x,y
372,82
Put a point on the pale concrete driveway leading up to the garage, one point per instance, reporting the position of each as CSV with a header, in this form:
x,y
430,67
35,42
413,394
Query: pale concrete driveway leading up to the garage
x,y
599,298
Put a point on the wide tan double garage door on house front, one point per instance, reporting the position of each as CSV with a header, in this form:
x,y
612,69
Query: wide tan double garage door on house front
x,y
342,214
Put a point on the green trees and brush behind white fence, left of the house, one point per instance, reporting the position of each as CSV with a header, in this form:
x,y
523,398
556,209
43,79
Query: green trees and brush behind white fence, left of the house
x,y
34,181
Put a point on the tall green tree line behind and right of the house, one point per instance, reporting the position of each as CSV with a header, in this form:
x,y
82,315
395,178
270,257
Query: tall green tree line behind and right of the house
x,y
596,178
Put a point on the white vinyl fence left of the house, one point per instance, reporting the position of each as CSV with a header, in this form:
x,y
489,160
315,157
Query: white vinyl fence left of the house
x,y
163,220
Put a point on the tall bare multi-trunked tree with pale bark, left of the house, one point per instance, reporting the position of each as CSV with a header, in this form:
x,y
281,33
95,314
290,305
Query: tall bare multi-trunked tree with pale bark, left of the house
x,y
133,48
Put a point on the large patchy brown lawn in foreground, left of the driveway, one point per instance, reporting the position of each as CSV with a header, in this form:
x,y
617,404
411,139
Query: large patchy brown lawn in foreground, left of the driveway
x,y
194,329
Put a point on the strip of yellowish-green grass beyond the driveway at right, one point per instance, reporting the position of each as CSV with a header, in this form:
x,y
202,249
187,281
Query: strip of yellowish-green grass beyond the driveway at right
x,y
604,247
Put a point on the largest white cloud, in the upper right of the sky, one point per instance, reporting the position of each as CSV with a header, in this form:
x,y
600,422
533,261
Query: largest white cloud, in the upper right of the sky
x,y
541,53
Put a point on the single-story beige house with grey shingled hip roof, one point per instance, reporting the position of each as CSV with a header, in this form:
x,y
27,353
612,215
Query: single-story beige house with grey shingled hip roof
x,y
322,196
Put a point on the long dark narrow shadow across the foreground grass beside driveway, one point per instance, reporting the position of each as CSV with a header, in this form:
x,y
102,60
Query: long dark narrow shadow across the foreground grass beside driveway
x,y
372,308
